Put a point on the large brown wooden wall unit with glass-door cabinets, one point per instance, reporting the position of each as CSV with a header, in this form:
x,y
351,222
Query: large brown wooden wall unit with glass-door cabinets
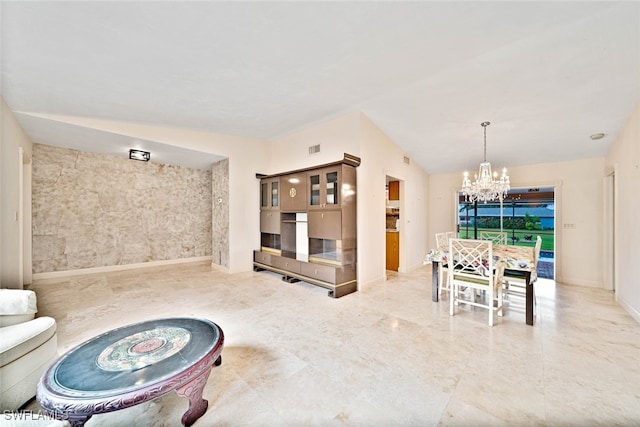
x,y
312,235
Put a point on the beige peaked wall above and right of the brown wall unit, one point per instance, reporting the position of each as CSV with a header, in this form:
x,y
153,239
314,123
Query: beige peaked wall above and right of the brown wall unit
x,y
355,134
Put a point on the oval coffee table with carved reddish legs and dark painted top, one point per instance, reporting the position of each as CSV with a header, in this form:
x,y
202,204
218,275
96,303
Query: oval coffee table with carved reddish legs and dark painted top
x,y
131,365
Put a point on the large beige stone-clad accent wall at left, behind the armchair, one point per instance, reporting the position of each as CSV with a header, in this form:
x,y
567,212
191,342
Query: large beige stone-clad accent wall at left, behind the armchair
x,y
95,210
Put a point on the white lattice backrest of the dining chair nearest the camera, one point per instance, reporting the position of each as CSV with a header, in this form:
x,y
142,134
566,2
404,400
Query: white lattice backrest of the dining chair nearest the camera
x,y
471,261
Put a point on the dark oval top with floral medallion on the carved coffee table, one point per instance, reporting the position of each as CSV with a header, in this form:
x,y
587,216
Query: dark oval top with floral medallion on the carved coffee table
x,y
128,358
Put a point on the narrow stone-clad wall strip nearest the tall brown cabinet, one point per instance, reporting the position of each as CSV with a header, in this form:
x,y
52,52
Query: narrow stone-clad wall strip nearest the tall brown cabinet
x,y
220,172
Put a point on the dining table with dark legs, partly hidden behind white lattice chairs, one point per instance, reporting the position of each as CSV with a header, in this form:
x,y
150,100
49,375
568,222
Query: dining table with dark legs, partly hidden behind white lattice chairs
x,y
515,259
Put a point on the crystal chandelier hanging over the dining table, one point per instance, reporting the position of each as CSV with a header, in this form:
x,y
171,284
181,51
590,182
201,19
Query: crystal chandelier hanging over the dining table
x,y
487,186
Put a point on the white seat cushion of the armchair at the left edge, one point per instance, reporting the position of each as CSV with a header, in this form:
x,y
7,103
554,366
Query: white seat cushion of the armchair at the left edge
x,y
18,340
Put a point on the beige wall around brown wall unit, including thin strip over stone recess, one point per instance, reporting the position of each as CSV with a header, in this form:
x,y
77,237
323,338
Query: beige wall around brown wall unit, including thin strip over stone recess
x,y
352,133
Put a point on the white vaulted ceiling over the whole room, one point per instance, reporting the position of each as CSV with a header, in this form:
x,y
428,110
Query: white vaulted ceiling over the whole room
x,y
545,74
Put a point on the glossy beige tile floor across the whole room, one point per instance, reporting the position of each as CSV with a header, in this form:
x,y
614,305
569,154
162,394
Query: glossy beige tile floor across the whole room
x,y
385,356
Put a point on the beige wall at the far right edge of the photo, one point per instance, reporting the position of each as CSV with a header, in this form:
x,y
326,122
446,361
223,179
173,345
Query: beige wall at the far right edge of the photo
x,y
623,159
